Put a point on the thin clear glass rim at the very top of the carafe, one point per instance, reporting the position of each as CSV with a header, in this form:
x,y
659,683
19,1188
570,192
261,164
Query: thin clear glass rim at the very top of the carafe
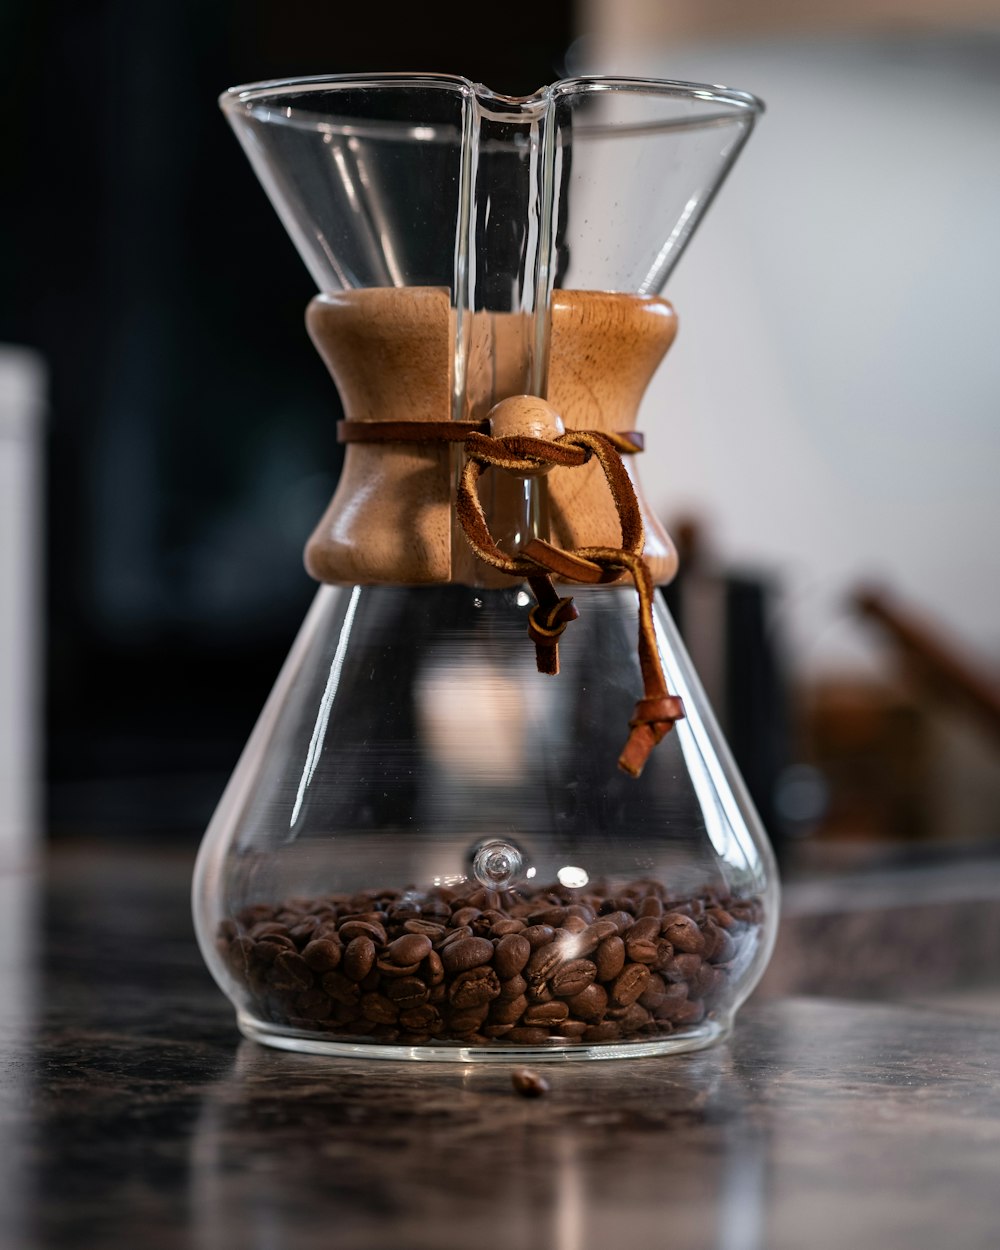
x,y
248,97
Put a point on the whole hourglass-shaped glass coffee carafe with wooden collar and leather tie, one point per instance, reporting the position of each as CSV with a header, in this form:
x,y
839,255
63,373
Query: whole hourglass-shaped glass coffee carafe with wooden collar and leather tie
x,y
487,811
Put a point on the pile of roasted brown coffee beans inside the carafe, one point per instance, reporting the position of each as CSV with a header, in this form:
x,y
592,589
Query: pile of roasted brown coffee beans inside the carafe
x,y
472,967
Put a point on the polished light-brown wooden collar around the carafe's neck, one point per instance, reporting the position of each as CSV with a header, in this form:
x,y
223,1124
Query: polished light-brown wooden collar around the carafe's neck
x,y
391,353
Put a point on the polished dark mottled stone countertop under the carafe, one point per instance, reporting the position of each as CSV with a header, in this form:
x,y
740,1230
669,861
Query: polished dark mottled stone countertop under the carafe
x,y
133,1116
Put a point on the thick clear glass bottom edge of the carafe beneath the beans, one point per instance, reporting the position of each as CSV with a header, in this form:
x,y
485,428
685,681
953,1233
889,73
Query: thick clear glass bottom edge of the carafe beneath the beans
x,y
696,1038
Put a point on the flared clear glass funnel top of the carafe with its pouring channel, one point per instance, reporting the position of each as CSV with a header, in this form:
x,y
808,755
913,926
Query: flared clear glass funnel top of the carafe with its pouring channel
x,y
432,181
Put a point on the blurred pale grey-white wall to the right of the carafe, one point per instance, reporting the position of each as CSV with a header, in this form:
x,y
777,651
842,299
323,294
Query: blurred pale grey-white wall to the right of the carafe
x,y
832,406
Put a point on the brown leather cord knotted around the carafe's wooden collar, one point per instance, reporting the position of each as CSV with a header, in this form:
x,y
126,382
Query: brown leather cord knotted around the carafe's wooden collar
x,y
658,711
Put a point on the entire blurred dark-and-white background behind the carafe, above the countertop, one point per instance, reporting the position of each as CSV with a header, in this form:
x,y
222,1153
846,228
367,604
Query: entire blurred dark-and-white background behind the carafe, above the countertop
x,y
826,434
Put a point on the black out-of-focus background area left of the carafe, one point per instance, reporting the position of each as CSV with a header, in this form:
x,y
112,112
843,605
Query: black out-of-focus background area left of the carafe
x,y
191,434
